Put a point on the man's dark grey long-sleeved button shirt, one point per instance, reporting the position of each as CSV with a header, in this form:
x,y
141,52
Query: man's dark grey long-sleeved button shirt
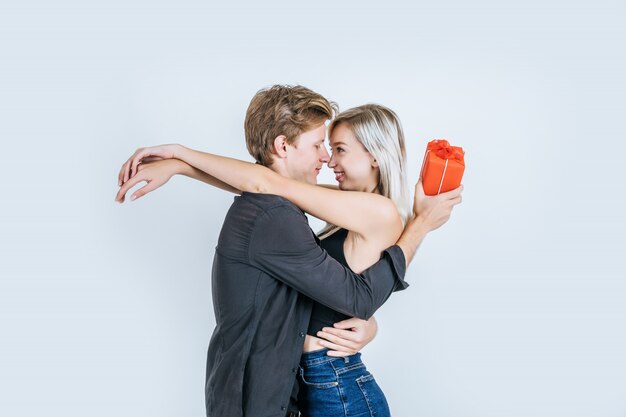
x,y
268,266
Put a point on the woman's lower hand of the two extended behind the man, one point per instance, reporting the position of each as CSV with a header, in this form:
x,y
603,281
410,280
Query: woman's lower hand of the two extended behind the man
x,y
155,173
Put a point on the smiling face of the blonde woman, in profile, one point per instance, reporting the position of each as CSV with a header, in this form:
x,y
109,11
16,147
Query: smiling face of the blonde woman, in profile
x,y
355,168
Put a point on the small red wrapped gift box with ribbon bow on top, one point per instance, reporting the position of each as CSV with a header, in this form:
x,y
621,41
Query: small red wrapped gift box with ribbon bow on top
x,y
443,167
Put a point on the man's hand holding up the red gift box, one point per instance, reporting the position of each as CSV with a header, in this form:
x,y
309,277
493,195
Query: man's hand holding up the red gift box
x,y
435,210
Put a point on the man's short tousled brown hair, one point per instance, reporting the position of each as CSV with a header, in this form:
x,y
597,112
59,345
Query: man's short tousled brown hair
x,y
283,110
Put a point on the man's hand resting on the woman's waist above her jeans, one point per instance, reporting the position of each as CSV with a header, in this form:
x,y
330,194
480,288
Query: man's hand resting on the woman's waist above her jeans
x,y
348,337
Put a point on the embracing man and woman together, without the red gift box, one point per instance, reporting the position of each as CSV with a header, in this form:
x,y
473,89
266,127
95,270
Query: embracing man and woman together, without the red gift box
x,y
292,308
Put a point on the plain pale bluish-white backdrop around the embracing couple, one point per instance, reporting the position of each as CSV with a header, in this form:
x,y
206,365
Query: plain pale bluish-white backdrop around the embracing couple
x,y
516,306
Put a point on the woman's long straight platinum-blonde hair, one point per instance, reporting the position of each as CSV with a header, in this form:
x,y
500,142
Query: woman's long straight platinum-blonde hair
x,y
379,130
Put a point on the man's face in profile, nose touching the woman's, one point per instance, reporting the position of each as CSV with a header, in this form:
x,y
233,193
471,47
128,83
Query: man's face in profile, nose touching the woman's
x,y
307,155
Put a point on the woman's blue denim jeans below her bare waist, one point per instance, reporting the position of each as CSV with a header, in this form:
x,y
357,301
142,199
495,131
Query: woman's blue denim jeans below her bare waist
x,y
334,387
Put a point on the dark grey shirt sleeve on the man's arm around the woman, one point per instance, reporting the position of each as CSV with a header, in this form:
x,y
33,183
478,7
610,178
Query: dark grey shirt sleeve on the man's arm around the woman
x,y
283,245
